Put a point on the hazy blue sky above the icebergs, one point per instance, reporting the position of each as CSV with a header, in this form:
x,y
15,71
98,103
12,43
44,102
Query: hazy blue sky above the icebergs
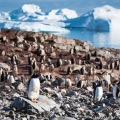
x,y
80,6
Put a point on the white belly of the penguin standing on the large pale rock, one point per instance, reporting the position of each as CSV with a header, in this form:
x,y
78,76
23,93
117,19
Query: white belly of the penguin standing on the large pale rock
x,y
34,87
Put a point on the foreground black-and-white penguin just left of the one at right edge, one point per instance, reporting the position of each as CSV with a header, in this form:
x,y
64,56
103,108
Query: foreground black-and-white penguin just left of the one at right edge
x,y
98,90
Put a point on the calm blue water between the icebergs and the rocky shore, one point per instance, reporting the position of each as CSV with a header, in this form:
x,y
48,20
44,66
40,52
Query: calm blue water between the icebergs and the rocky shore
x,y
109,39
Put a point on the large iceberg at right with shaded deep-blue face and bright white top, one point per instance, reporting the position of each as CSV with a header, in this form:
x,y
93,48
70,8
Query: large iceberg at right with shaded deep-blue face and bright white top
x,y
100,18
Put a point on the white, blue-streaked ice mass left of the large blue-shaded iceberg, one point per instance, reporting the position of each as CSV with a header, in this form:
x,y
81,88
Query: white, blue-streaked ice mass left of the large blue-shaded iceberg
x,y
30,17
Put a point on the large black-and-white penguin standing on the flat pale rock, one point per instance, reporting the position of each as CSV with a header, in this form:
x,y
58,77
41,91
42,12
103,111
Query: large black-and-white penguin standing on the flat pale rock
x,y
33,88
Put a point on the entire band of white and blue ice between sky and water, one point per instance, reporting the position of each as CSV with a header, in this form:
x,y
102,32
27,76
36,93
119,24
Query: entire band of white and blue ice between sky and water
x,y
30,17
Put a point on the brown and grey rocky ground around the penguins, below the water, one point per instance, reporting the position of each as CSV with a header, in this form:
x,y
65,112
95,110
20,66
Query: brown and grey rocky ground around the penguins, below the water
x,y
56,103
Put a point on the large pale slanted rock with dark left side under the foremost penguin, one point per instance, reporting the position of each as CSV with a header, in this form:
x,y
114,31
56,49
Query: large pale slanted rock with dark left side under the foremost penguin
x,y
43,104
